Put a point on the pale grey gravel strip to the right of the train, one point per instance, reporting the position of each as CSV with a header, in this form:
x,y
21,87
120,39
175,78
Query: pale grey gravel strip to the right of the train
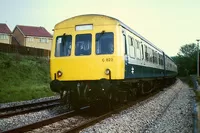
x,y
169,112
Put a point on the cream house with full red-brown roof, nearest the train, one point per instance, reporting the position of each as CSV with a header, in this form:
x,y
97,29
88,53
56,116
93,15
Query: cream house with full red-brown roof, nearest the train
x,y
31,36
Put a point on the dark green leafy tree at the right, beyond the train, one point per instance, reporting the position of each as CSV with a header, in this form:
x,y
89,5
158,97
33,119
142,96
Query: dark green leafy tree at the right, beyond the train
x,y
186,59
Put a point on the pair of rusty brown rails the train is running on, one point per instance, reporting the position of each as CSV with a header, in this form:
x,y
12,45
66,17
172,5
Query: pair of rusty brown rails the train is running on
x,y
94,120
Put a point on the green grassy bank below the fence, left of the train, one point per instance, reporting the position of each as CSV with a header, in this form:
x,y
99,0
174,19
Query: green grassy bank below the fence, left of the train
x,y
23,78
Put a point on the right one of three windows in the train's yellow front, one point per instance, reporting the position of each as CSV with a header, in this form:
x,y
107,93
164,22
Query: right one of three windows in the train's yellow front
x,y
104,43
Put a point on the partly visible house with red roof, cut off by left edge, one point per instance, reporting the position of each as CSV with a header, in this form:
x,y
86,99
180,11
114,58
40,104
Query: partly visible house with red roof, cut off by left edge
x,y
5,34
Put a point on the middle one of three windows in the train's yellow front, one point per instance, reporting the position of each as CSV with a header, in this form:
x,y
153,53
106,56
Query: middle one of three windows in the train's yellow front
x,y
83,44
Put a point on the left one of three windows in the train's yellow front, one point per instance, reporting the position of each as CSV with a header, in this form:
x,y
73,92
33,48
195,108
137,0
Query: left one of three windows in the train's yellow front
x,y
63,46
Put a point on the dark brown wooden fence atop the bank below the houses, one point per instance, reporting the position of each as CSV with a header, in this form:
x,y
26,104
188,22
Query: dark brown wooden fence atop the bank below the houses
x,y
7,48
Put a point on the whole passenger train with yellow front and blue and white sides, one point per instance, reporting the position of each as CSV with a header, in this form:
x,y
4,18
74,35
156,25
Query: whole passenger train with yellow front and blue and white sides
x,y
99,58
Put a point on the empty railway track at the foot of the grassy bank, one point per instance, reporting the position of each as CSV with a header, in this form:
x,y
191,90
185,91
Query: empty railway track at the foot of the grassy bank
x,y
26,108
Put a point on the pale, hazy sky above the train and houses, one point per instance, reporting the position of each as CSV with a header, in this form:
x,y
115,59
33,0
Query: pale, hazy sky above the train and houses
x,y
168,24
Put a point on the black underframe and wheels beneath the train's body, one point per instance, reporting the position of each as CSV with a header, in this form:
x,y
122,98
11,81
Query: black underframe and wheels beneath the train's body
x,y
106,92
